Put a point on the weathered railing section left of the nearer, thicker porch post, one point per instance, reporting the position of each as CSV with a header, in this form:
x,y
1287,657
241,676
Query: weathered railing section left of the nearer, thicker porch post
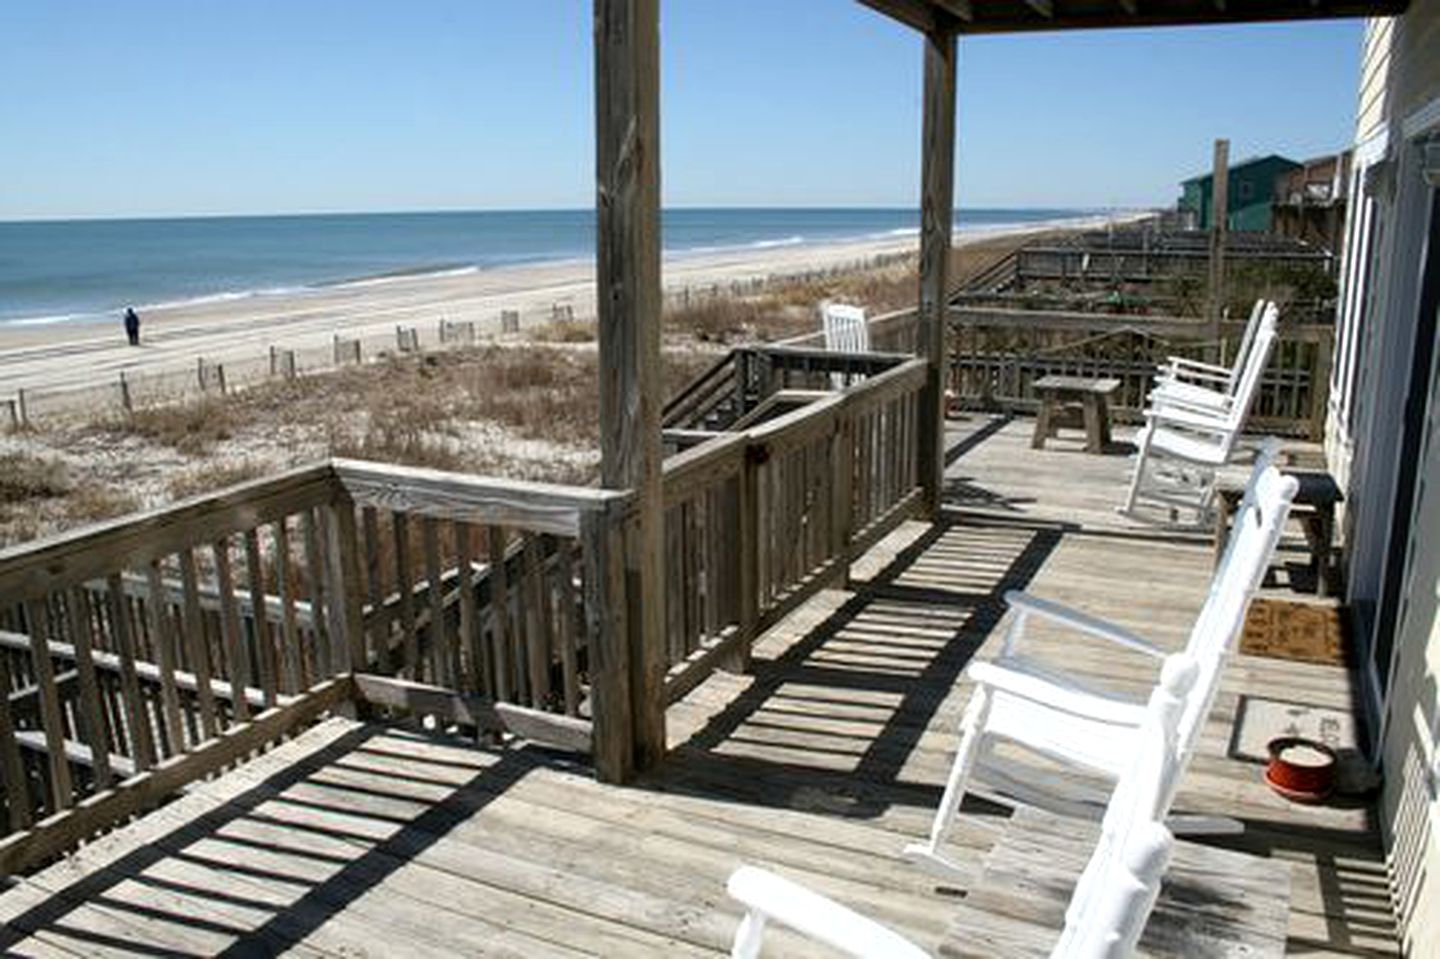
x,y
143,654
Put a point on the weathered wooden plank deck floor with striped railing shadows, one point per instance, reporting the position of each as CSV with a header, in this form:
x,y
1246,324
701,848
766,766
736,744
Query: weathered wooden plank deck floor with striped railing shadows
x,y
369,840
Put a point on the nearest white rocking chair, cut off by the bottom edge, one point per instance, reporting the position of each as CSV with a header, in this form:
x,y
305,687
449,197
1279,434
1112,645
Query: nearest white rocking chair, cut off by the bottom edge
x,y
1112,899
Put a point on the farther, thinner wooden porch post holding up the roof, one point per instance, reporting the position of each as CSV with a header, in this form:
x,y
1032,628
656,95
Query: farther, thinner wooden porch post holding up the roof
x,y
937,211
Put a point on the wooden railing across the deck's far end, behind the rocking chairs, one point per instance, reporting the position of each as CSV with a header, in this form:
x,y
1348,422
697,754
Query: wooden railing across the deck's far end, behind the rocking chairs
x,y
997,355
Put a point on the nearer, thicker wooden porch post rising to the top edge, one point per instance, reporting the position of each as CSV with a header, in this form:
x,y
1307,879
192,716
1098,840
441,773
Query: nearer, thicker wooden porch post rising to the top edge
x,y
627,148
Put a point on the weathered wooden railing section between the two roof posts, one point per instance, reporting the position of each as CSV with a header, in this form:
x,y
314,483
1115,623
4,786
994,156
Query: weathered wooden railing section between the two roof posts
x,y
758,521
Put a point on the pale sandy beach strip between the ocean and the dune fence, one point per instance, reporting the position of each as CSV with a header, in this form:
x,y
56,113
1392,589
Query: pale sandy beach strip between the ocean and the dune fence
x,y
241,330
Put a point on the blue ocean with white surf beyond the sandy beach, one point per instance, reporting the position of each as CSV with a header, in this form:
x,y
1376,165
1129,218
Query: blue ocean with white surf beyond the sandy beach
x,y
57,271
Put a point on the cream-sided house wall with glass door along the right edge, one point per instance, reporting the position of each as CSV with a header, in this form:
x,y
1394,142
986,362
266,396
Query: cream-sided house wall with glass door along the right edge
x,y
1395,562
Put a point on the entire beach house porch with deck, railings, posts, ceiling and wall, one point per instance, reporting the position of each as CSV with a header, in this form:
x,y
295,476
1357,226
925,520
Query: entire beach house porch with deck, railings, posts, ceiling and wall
x,y
361,708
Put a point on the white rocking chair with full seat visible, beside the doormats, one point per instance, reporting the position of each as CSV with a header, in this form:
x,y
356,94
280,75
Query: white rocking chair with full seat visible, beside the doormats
x,y
1042,709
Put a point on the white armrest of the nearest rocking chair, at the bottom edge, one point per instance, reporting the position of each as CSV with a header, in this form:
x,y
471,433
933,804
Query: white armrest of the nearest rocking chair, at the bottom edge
x,y
770,896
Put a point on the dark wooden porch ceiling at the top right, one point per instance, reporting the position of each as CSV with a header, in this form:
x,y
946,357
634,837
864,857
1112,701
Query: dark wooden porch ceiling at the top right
x,y
1013,17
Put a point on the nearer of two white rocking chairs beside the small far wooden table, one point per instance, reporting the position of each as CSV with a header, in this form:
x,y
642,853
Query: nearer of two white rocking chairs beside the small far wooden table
x,y
1183,446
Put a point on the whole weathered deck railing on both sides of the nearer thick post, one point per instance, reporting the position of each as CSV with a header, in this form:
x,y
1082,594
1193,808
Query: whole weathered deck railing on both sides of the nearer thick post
x,y
148,653
